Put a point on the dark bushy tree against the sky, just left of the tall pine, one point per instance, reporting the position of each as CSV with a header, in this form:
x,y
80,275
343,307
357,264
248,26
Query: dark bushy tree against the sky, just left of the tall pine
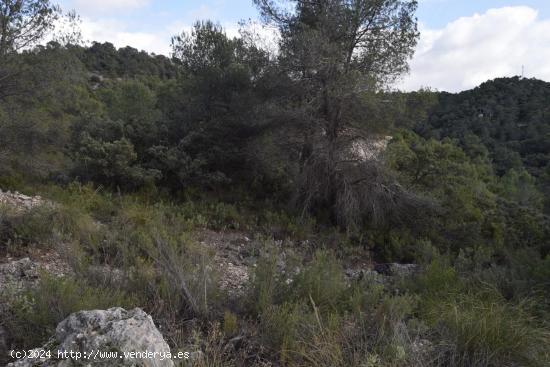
x,y
217,91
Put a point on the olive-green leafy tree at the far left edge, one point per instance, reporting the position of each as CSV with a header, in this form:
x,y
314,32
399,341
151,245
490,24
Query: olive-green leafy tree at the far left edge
x,y
35,117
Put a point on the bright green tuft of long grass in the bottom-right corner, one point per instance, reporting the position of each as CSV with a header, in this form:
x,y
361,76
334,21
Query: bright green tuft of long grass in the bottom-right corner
x,y
484,330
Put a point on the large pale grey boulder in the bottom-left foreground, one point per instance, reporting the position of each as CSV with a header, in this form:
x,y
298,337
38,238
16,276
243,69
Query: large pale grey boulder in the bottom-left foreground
x,y
115,330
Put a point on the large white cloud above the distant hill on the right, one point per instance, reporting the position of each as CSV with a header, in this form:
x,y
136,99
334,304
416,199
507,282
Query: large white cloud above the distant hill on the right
x,y
471,50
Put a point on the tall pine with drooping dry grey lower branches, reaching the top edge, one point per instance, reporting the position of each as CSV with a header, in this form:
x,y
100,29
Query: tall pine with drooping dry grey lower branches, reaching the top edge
x,y
332,51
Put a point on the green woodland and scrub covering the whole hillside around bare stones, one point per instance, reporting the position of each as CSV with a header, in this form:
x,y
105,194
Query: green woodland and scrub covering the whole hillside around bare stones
x,y
228,136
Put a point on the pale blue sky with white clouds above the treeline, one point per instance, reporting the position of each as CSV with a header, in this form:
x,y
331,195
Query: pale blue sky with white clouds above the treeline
x,y
463,42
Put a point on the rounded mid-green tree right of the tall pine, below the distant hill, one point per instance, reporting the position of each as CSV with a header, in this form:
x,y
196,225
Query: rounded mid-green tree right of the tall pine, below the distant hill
x,y
441,170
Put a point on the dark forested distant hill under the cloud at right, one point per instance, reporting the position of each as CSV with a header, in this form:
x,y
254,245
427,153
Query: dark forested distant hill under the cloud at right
x,y
508,118
